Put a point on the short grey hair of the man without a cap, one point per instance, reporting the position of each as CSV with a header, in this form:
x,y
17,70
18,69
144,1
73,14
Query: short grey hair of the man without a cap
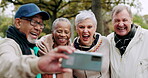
x,y
117,9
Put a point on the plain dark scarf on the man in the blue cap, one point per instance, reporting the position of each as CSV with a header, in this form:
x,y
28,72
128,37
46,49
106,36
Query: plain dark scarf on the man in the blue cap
x,y
21,39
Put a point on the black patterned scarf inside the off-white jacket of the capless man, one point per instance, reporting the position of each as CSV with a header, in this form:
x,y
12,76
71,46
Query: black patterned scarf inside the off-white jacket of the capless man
x,y
123,41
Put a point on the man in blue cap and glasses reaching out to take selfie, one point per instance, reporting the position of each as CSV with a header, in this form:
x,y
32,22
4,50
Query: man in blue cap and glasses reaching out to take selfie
x,y
17,57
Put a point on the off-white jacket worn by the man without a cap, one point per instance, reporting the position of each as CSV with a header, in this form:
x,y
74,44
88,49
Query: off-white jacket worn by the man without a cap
x,y
134,62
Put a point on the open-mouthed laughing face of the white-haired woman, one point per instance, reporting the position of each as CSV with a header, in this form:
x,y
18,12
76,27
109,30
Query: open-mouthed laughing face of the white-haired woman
x,y
86,30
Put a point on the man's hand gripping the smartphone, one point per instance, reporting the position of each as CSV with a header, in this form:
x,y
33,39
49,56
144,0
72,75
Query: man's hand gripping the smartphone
x,y
50,63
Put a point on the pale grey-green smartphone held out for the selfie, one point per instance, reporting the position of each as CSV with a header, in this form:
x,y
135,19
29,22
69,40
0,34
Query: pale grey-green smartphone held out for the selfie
x,y
83,60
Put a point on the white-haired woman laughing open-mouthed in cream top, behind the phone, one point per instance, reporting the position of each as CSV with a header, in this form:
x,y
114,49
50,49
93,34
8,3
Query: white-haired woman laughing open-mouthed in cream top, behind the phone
x,y
89,40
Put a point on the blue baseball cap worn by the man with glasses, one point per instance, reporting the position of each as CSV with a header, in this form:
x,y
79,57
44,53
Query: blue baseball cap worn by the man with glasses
x,y
31,9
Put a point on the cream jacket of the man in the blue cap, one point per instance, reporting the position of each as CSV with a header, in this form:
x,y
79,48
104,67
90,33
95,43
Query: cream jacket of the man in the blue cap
x,y
14,64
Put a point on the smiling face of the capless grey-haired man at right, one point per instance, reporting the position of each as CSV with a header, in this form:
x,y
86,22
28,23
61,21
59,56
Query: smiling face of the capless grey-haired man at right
x,y
122,23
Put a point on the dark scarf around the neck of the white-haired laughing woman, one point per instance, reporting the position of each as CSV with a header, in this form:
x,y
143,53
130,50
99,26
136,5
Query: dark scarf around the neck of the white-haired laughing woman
x,y
77,45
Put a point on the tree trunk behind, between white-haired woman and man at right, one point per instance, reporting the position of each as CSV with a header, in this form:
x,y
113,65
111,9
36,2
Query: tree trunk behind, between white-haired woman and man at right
x,y
96,8
